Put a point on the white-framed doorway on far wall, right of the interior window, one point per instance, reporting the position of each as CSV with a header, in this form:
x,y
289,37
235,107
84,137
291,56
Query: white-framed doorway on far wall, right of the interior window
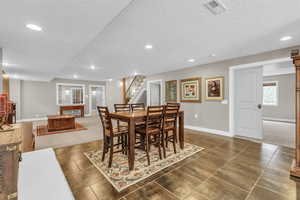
x,y
97,98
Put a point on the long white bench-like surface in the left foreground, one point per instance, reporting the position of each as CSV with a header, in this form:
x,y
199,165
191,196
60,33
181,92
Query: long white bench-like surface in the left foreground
x,y
41,178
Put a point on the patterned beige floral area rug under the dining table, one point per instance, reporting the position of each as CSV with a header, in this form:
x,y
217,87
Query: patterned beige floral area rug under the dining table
x,y
120,176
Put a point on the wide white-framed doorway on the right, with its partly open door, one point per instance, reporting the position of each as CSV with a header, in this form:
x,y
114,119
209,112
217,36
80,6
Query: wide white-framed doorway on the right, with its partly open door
x,y
262,101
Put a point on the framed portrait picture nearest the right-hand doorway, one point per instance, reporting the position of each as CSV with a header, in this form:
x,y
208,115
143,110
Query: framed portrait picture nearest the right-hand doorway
x,y
214,89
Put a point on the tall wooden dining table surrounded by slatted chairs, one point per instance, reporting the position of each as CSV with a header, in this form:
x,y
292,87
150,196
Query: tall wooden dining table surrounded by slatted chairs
x,y
139,116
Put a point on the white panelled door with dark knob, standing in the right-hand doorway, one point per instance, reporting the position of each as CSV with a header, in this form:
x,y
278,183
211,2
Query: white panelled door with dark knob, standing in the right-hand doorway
x,y
248,85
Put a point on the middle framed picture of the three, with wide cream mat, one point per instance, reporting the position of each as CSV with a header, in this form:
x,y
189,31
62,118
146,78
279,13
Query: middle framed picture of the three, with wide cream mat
x,y
190,90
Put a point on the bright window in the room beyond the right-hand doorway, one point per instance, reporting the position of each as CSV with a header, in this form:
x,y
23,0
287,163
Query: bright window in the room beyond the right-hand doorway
x,y
270,93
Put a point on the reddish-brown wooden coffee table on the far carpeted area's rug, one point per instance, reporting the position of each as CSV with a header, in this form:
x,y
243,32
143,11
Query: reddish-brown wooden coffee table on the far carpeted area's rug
x,y
60,122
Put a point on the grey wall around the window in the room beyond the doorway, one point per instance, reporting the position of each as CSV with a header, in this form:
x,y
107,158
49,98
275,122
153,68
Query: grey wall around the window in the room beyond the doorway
x,y
286,98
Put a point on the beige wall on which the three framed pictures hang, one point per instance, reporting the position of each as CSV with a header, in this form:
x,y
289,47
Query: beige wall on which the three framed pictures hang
x,y
213,115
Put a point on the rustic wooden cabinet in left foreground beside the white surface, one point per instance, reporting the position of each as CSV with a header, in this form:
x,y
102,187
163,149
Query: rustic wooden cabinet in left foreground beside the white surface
x,y
10,155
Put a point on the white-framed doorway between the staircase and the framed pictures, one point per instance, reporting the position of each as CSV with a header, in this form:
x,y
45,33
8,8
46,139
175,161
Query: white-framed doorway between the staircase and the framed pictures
x,y
154,93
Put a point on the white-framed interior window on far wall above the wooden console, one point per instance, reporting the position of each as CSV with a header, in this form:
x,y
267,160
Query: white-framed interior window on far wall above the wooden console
x,y
69,94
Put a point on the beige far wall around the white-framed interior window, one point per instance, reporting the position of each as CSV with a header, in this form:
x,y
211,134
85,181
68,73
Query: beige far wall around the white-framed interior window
x,y
36,99
